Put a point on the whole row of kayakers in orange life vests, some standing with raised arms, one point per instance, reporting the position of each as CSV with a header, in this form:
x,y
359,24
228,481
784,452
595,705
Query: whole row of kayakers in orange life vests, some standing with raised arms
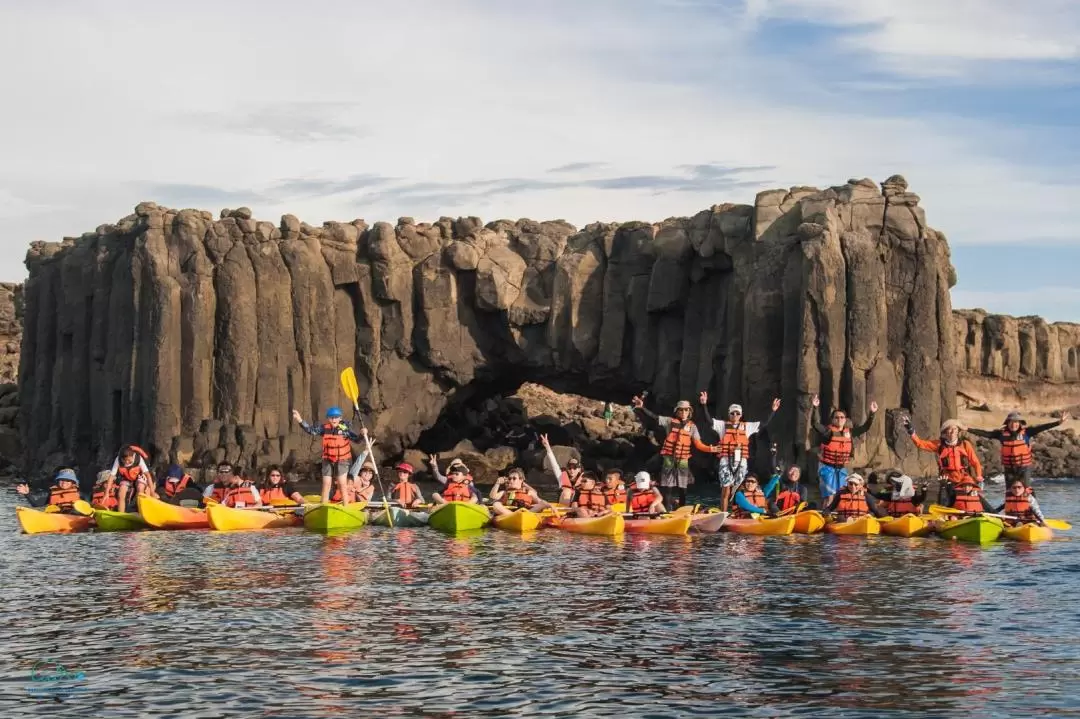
x,y
585,497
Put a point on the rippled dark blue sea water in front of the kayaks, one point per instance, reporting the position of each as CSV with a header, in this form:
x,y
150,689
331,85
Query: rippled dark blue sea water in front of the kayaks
x,y
410,622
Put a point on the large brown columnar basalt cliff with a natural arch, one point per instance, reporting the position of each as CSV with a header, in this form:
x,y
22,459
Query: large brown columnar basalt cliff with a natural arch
x,y
197,336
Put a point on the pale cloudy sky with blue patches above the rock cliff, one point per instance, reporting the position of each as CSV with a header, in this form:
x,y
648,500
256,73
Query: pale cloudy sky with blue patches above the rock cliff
x,y
577,110
